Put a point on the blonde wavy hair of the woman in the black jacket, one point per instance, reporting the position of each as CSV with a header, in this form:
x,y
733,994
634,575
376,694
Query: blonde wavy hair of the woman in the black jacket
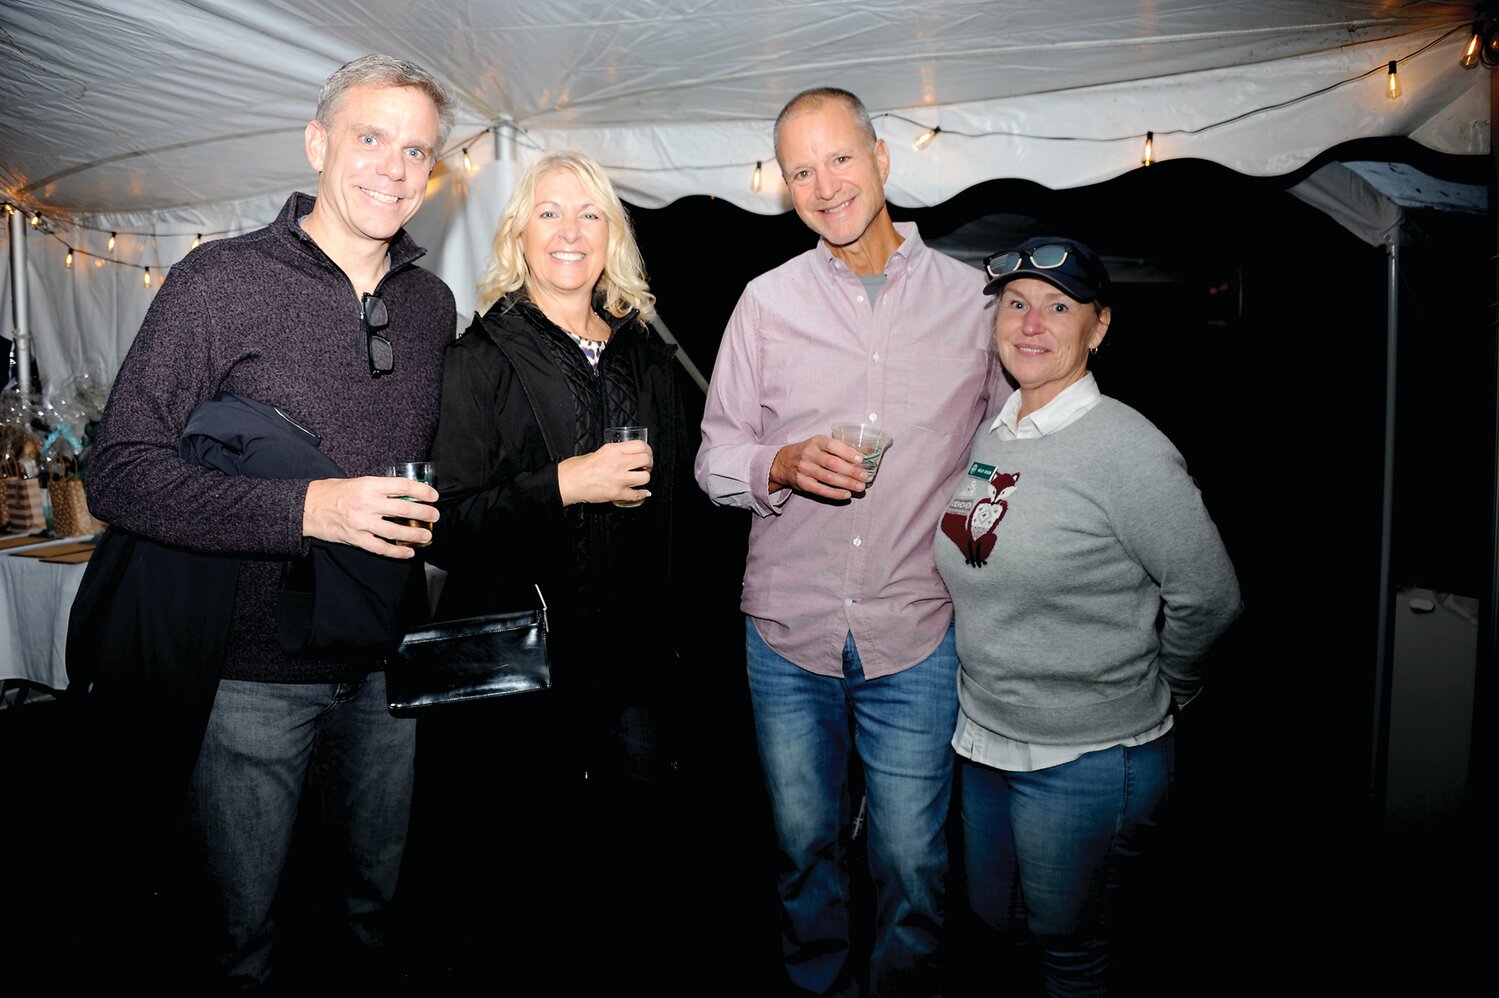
x,y
623,285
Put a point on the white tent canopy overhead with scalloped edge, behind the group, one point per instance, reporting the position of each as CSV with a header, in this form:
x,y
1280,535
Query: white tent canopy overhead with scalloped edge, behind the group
x,y
163,119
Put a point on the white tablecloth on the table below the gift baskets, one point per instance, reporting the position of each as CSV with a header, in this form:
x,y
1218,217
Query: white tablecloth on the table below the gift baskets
x,y
35,600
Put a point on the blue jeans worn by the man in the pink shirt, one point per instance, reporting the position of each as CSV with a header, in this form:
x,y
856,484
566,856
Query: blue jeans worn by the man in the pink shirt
x,y
902,728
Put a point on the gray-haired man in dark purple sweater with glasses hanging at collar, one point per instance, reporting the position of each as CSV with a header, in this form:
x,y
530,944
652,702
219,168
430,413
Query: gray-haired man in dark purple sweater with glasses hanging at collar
x,y
326,317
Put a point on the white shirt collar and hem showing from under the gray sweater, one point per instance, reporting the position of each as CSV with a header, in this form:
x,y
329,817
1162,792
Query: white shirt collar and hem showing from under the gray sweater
x,y
972,740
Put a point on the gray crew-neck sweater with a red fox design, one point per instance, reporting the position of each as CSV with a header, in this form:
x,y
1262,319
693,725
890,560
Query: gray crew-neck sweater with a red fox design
x,y
1088,581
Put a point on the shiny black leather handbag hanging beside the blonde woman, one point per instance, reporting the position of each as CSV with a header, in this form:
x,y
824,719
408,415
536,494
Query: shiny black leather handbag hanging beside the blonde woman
x,y
474,659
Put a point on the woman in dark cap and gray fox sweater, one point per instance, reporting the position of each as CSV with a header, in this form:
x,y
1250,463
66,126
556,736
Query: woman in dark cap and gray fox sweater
x,y
1088,582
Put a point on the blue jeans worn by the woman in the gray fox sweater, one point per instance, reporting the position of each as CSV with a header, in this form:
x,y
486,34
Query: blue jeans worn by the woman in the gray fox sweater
x,y
1052,849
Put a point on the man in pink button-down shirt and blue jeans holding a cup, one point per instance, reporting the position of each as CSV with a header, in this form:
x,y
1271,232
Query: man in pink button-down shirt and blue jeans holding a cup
x,y
849,641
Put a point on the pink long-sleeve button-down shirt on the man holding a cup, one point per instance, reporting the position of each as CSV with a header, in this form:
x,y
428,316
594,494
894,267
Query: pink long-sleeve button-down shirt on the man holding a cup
x,y
803,351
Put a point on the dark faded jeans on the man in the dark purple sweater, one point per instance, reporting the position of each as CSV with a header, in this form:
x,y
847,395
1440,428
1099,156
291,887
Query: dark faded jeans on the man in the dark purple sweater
x,y
248,787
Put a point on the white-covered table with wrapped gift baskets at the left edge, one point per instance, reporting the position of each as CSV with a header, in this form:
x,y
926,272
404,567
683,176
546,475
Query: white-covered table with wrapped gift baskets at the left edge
x,y
46,536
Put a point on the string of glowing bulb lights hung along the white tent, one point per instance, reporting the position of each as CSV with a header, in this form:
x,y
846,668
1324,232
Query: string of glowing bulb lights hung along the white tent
x,y
1483,49
